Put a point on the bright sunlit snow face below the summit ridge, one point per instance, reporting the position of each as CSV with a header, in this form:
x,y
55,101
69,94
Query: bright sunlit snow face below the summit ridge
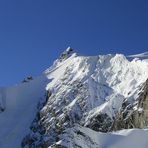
x,y
108,80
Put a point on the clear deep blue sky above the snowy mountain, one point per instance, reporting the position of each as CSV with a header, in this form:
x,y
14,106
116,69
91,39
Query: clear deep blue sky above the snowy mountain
x,y
34,32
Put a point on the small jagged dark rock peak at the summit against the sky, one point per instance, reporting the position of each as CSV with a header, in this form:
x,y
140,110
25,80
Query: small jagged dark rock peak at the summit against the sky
x,y
66,54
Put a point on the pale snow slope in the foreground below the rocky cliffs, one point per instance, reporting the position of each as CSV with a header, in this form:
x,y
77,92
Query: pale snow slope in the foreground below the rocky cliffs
x,y
87,138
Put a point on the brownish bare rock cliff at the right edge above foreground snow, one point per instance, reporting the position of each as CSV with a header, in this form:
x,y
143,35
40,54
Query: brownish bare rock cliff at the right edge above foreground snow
x,y
134,115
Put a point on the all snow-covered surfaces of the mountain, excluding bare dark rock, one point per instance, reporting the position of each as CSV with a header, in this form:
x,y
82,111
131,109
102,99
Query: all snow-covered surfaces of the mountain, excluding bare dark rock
x,y
108,80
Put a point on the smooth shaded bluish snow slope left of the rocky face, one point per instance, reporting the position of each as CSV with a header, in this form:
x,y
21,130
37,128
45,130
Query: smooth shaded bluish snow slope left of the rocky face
x,y
20,106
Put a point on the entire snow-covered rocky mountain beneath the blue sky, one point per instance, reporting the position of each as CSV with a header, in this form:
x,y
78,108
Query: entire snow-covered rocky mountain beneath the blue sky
x,y
74,100
